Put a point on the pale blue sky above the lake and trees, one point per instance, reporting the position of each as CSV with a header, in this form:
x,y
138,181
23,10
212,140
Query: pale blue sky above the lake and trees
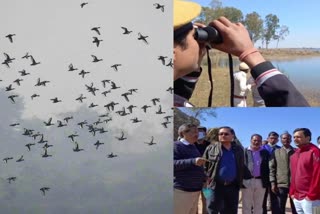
x,y
302,18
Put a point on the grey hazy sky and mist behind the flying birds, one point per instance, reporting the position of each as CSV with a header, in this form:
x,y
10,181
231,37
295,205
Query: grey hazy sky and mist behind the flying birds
x,y
56,34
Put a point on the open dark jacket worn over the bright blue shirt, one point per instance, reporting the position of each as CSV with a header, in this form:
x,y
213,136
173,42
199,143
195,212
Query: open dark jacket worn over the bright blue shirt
x,y
213,153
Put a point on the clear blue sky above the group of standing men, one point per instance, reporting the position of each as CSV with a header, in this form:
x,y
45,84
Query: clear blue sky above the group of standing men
x,y
247,121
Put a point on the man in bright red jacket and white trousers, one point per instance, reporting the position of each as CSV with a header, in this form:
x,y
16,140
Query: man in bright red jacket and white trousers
x,y
305,173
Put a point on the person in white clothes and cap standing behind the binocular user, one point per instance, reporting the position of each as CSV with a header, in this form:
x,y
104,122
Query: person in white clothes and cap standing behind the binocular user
x,y
241,87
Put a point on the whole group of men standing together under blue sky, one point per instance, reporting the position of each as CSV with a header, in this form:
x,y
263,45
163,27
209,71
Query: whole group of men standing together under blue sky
x,y
260,171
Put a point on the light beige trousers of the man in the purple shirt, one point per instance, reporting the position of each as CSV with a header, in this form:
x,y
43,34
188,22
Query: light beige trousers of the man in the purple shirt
x,y
252,196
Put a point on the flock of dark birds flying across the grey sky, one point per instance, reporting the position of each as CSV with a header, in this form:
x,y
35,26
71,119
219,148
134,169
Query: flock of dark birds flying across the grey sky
x,y
98,125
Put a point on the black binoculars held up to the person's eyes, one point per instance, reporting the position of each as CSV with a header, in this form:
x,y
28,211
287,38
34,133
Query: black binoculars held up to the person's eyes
x,y
208,35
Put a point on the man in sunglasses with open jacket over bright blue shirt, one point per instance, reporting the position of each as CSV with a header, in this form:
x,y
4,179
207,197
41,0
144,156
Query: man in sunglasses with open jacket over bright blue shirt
x,y
224,169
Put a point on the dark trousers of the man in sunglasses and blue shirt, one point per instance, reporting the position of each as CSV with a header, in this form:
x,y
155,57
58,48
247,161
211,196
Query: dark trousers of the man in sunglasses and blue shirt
x,y
224,200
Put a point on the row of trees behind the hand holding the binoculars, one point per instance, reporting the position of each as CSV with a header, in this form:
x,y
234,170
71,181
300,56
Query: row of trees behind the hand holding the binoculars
x,y
265,30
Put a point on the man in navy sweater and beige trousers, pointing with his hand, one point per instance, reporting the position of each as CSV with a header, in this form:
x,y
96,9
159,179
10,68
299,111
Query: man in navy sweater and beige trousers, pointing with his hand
x,y
188,171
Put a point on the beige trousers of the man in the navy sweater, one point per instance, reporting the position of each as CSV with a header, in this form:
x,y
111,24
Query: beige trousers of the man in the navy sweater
x,y
185,202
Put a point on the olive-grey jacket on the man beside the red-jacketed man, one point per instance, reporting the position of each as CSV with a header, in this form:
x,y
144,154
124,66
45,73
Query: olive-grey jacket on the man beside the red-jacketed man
x,y
279,167
